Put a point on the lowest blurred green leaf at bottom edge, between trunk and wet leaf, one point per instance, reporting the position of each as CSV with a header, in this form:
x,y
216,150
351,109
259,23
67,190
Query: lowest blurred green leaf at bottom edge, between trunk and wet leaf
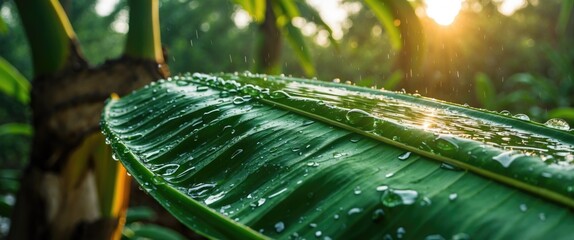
x,y
150,231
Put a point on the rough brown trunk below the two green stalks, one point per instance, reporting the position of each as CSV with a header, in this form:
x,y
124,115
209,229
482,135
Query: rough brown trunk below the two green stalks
x,y
66,112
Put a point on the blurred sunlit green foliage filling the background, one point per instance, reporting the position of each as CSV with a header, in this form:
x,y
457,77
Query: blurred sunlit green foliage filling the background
x,y
521,62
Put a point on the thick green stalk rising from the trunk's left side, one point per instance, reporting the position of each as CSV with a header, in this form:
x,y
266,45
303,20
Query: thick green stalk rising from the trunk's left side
x,y
46,24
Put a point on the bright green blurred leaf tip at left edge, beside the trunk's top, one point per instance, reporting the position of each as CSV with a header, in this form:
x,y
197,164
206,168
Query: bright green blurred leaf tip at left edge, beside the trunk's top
x,y
13,83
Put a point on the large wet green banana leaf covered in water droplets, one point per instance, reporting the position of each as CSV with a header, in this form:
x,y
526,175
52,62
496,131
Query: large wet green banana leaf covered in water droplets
x,y
252,156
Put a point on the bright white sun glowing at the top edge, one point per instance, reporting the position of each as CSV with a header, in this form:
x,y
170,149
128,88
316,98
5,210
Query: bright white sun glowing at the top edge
x,y
443,12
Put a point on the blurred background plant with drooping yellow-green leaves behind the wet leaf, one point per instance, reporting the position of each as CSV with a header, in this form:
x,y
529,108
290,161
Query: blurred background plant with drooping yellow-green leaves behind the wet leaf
x,y
275,20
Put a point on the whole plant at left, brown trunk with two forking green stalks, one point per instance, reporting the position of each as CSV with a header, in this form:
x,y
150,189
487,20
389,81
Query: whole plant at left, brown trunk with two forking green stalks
x,y
72,188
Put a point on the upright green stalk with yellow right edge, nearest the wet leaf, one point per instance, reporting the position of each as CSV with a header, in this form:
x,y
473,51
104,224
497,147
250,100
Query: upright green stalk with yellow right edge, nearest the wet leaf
x,y
143,40
